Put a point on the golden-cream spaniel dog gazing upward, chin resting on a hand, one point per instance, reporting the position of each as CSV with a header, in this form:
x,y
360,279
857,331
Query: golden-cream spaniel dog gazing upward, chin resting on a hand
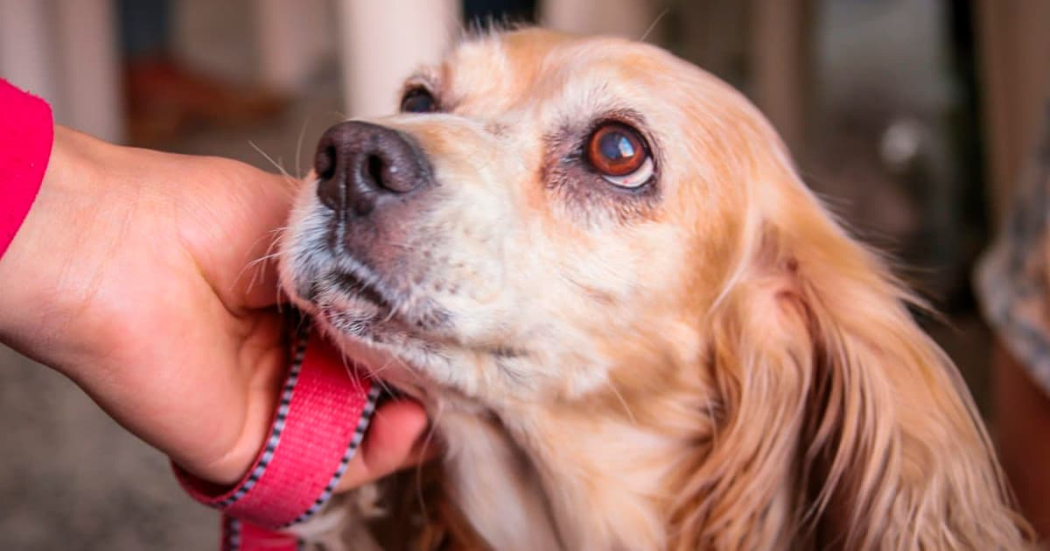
x,y
633,325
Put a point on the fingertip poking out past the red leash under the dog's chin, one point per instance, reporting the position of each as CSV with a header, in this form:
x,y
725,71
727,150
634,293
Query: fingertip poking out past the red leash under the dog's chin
x,y
395,440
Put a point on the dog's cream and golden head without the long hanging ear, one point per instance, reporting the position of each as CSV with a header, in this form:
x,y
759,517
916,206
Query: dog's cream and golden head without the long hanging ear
x,y
521,228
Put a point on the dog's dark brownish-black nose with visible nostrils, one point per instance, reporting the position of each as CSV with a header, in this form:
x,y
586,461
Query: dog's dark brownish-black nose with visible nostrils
x,y
362,164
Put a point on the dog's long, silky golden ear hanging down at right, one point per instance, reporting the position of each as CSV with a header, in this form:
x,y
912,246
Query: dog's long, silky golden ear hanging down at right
x,y
839,423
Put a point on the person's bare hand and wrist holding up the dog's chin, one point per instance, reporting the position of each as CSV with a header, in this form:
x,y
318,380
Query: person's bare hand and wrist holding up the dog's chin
x,y
145,278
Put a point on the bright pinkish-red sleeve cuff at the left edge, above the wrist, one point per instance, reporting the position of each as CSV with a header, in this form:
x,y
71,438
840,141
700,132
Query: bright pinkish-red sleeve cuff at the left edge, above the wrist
x,y
27,133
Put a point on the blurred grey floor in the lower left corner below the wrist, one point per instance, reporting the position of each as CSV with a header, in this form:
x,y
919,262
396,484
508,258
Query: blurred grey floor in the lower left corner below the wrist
x,y
74,480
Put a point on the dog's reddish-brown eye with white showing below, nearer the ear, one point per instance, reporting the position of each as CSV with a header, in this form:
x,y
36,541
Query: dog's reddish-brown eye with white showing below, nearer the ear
x,y
620,155
